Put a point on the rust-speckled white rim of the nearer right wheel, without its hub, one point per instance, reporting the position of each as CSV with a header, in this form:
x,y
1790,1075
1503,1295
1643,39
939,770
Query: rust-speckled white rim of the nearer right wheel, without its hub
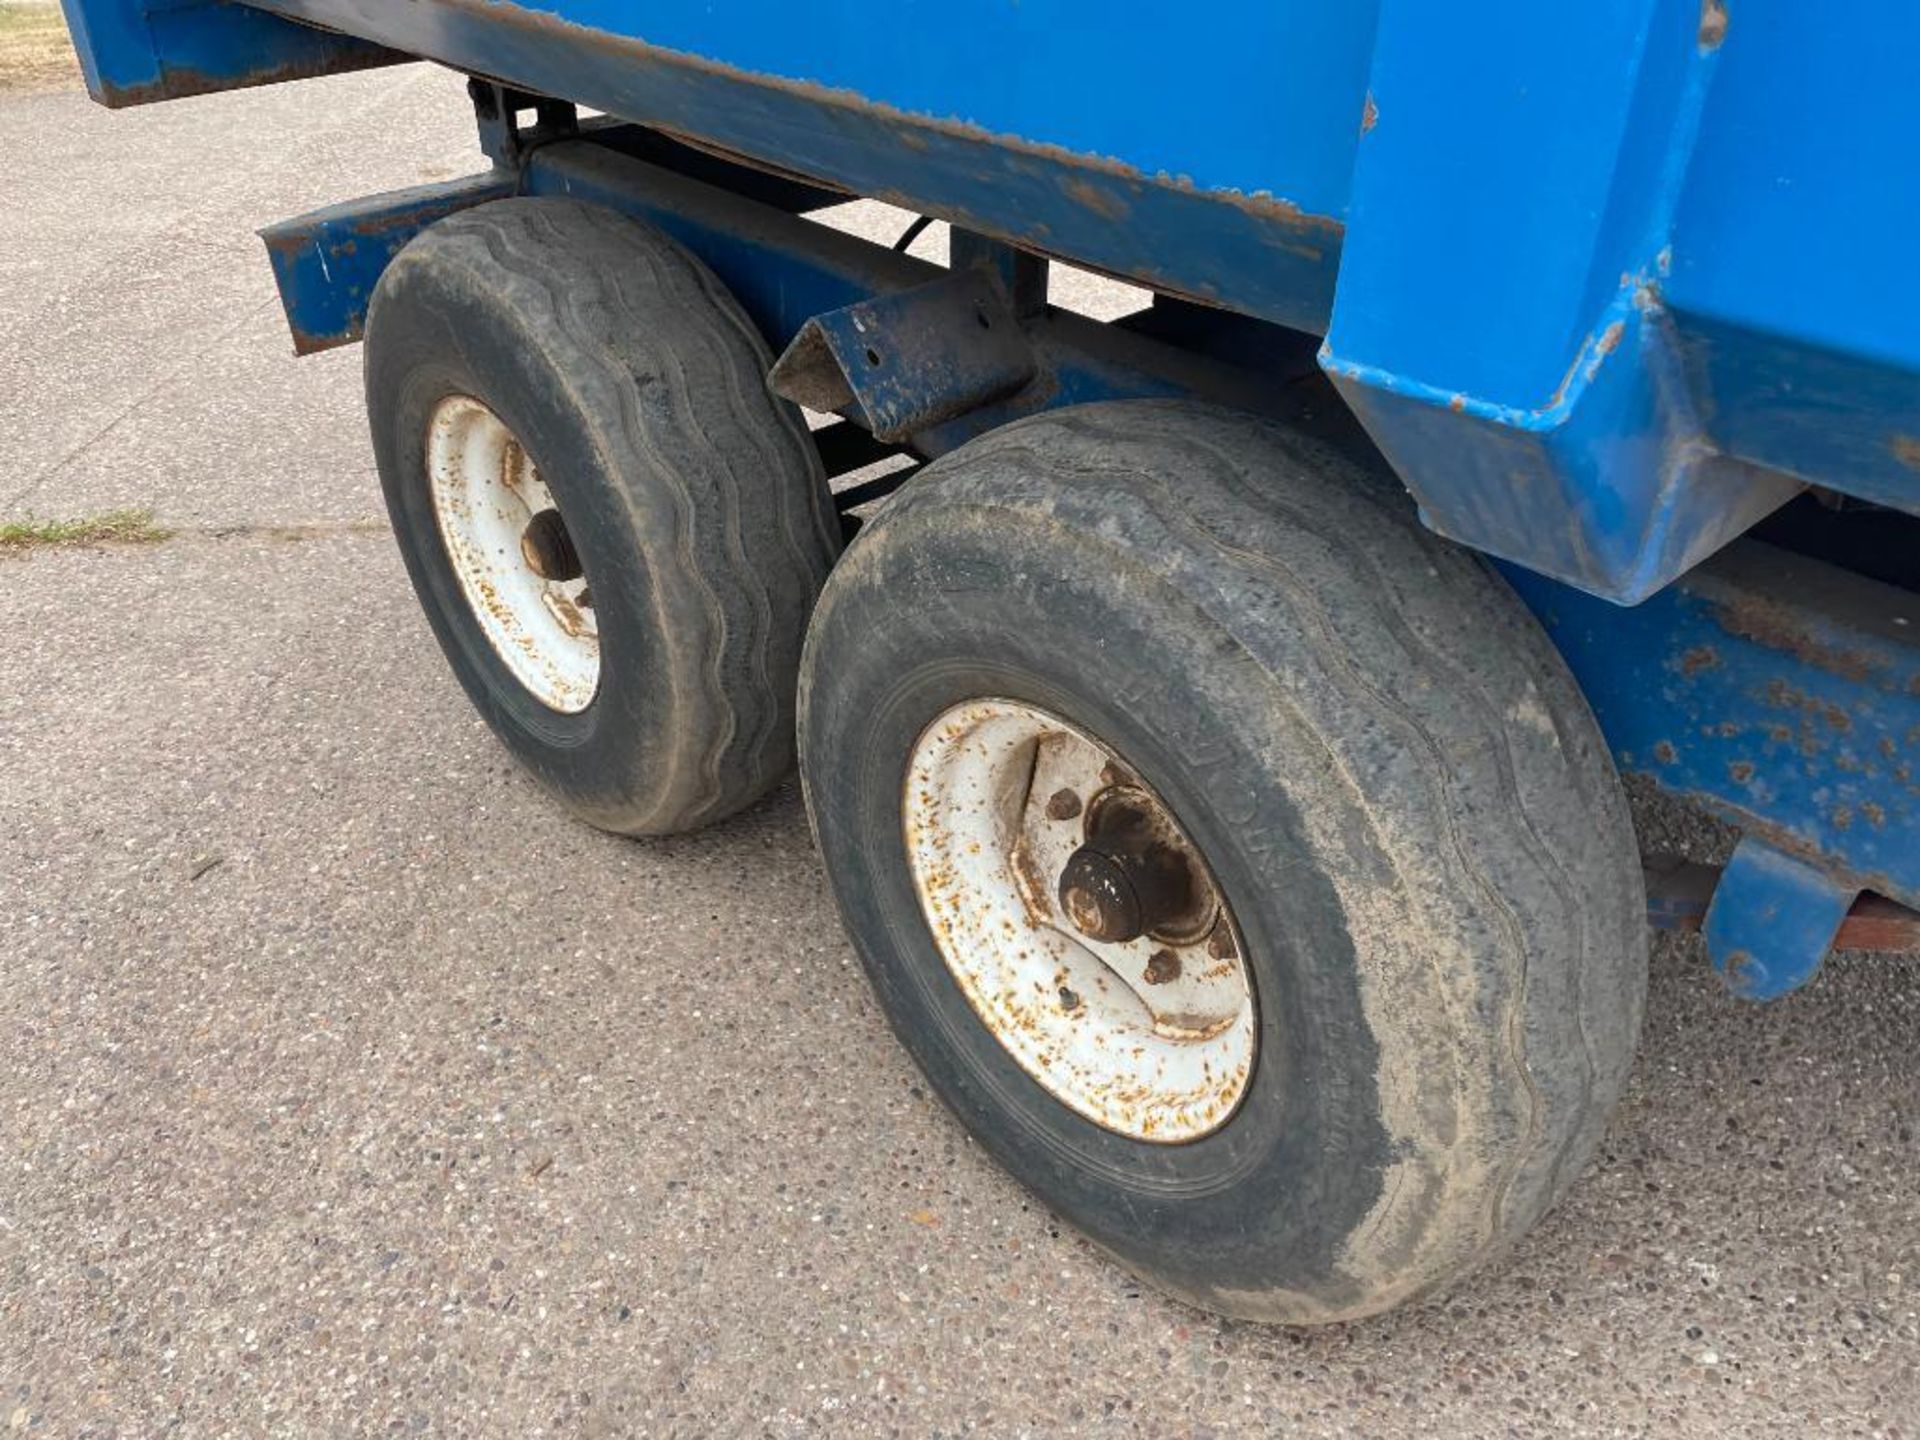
x,y
1153,1038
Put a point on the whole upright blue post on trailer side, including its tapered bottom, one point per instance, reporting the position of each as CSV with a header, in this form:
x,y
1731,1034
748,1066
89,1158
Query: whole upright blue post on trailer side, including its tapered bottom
x,y
1499,324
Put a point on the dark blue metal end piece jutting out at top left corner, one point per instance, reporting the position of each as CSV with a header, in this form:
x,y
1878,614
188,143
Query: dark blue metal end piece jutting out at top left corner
x,y
141,51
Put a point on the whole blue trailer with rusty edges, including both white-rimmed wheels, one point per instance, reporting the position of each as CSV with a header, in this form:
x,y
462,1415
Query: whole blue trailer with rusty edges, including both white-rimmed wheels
x,y
1212,721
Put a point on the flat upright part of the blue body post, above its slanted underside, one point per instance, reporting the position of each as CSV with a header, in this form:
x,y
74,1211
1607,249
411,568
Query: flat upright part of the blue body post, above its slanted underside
x,y
1512,189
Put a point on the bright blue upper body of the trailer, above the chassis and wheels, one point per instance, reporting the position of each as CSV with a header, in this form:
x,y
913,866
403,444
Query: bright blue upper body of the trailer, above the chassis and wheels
x,y
1558,366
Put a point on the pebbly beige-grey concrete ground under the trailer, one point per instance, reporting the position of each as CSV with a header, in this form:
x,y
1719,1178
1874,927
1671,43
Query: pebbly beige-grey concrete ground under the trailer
x,y
350,1090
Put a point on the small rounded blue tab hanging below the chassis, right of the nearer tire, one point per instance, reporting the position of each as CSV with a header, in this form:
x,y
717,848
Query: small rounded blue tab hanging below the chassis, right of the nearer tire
x,y
1773,921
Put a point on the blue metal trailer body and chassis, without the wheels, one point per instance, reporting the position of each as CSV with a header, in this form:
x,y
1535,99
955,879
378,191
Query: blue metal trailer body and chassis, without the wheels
x,y
1608,287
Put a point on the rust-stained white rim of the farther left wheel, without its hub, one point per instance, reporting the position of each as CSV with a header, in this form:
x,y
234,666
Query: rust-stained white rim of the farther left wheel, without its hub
x,y
487,494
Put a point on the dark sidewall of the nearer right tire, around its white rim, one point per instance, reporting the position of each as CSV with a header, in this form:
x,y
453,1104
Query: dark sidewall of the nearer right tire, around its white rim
x,y
1299,1166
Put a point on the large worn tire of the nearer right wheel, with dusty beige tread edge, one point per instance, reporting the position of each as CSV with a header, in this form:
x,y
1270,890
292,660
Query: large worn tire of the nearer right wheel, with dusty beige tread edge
x,y
1391,773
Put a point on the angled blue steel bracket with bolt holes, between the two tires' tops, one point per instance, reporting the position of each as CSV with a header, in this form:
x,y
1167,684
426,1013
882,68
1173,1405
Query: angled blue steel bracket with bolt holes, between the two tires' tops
x,y
911,360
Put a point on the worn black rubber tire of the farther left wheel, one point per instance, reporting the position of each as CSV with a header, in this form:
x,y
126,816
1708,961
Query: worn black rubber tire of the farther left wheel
x,y
694,496
